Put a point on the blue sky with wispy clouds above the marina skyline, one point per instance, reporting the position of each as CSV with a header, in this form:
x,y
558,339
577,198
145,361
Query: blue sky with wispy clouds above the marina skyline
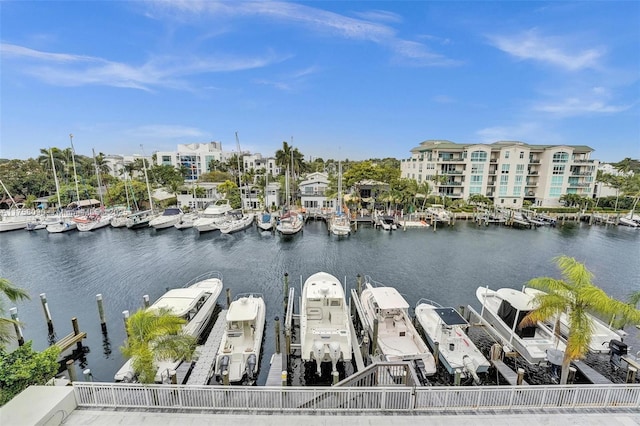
x,y
339,80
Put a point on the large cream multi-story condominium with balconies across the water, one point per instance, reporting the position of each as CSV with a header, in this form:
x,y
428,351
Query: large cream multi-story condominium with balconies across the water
x,y
507,172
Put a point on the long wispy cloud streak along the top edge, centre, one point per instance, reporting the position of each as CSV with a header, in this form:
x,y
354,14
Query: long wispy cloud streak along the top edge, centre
x,y
364,28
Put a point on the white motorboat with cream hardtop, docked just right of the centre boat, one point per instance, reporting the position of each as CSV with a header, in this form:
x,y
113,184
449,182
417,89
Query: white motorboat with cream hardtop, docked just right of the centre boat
x,y
398,340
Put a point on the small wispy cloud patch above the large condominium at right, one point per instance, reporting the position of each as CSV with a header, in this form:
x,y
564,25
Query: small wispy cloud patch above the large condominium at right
x,y
556,51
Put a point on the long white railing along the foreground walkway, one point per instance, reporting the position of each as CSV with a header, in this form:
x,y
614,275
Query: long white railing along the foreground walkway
x,y
356,399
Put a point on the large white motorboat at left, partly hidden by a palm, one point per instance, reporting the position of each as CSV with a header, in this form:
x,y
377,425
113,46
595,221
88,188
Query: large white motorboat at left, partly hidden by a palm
x,y
195,302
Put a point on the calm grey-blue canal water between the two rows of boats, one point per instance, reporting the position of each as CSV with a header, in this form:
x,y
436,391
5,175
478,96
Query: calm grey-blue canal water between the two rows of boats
x,y
446,266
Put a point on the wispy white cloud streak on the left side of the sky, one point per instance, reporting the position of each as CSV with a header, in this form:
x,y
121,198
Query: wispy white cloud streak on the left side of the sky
x,y
159,71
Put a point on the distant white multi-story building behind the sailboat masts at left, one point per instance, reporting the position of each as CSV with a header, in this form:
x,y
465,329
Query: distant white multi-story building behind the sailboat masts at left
x,y
196,157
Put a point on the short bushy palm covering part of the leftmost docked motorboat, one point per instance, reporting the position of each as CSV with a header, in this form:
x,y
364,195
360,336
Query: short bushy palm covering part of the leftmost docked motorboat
x,y
155,335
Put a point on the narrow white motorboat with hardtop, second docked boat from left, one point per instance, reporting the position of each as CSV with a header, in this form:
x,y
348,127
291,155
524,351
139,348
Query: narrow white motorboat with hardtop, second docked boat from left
x,y
239,352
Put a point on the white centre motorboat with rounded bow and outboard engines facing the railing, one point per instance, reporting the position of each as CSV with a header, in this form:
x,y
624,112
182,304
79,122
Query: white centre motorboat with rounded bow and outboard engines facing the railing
x,y
325,334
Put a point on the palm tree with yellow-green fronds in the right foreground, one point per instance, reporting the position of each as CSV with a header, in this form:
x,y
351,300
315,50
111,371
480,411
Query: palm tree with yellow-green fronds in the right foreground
x,y
575,295
